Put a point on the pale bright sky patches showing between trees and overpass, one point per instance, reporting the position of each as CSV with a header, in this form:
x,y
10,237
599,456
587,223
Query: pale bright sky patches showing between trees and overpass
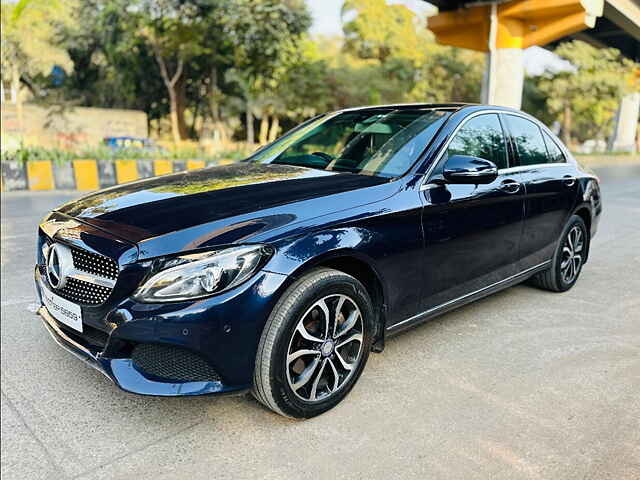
x,y
326,21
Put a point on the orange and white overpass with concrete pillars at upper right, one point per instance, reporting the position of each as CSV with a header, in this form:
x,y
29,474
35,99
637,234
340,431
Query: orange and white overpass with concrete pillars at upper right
x,y
504,28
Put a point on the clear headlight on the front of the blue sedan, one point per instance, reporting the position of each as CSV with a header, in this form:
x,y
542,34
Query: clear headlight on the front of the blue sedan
x,y
198,275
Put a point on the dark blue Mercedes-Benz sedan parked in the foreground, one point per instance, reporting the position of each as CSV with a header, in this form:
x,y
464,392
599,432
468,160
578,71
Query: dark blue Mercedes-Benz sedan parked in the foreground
x,y
281,273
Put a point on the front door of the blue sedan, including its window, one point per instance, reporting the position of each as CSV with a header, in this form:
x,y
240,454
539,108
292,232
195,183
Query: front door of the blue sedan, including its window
x,y
472,232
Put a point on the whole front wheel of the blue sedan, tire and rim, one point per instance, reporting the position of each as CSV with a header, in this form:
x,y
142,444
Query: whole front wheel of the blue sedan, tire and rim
x,y
289,379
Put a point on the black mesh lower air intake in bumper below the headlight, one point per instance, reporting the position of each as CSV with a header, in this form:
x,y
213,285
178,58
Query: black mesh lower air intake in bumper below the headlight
x,y
172,363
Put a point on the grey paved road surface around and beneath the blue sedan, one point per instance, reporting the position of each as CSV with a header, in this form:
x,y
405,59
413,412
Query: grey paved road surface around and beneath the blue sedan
x,y
522,385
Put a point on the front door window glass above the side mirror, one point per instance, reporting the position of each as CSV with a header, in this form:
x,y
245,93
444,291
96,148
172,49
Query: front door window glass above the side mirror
x,y
481,137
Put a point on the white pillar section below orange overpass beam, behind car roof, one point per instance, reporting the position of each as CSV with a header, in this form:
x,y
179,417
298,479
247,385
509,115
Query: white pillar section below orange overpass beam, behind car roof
x,y
504,77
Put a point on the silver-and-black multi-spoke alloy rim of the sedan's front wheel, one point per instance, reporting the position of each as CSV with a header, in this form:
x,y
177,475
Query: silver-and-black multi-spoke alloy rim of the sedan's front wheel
x,y
325,348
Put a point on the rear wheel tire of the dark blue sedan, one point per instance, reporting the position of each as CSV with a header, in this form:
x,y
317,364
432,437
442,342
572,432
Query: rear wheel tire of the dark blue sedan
x,y
555,279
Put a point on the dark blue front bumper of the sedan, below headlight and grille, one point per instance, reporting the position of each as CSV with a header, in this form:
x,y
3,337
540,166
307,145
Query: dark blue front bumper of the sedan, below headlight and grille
x,y
223,330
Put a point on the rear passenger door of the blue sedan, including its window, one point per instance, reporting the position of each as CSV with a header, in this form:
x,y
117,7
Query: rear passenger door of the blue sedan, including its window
x,y
551,189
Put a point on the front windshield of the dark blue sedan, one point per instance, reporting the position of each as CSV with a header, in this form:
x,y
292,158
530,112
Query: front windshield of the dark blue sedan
x,y
380,142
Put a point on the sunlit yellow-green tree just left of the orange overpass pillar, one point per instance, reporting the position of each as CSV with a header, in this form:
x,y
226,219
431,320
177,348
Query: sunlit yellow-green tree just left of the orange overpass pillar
x,y
399,59
